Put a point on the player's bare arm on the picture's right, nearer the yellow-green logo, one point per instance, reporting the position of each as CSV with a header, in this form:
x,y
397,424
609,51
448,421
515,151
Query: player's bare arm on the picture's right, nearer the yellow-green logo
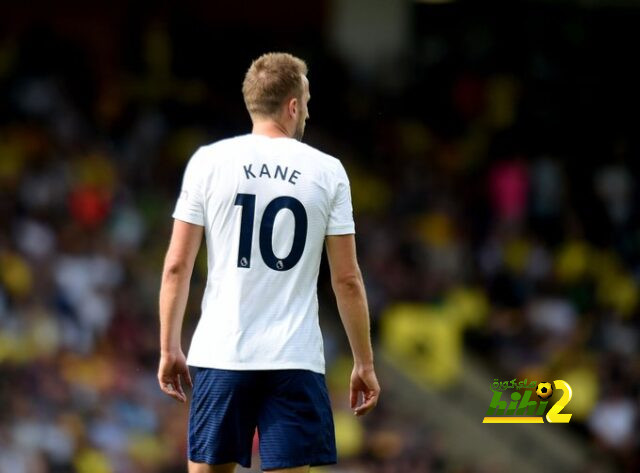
x,y
348,286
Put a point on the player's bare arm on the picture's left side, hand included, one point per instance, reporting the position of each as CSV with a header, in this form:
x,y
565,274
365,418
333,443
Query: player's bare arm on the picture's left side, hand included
x,y
174,292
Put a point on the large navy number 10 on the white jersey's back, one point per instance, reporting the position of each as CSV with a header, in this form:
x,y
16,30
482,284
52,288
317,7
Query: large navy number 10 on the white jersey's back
x,y
248,203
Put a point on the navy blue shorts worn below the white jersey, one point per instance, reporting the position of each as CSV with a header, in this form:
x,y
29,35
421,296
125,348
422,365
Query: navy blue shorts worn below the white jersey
x,y
290,408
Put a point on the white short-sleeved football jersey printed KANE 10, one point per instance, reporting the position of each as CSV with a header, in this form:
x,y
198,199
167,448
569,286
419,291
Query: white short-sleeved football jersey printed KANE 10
x,y
266,205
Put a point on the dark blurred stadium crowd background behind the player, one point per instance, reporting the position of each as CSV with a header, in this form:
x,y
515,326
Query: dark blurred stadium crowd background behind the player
x,y
491,148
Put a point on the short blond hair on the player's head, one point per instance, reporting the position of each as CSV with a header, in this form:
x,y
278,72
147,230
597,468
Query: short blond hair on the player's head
x,y
270,80
